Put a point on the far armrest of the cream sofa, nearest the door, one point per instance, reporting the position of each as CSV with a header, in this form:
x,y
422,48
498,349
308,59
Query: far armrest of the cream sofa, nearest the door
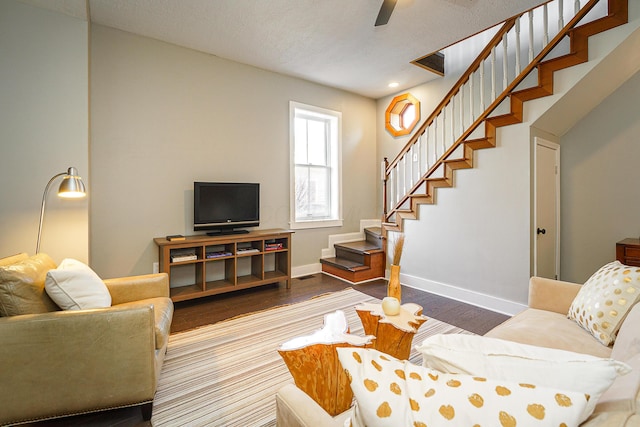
x,y
552,295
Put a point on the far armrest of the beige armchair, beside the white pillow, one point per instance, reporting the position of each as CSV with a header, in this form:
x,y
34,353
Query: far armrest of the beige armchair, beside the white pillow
x,y
135,288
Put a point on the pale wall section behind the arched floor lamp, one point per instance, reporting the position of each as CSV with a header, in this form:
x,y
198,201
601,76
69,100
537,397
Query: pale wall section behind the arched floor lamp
x,y
43,128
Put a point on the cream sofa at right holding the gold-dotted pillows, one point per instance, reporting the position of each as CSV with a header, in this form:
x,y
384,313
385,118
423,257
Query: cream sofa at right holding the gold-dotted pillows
x,y
544,323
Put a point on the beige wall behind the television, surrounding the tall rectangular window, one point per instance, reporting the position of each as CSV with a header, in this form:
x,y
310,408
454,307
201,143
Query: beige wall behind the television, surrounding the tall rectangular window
x,y
164,116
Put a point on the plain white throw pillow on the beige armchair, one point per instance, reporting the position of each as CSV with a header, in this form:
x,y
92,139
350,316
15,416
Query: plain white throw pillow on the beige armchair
x,y
75,286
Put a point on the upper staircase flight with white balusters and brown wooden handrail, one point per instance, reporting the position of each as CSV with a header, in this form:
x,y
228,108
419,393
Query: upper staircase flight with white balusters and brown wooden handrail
x,y
468,117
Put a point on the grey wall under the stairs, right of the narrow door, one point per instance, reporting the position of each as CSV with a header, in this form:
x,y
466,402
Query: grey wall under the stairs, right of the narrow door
x,y
599,184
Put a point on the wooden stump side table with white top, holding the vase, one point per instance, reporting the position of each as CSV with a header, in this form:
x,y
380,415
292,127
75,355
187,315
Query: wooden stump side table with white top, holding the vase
x,y
394,334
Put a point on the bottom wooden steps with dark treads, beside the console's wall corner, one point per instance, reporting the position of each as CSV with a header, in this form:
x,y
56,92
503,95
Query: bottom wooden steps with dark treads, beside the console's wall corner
x,y
358,261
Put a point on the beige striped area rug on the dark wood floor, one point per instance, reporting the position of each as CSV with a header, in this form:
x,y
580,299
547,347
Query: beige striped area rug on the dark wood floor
x,y
227,374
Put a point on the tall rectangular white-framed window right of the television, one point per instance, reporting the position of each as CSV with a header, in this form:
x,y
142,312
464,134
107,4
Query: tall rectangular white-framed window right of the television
x,y
315,167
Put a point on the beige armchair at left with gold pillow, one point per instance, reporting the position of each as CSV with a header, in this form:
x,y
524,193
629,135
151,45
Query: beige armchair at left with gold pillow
x,y
59,363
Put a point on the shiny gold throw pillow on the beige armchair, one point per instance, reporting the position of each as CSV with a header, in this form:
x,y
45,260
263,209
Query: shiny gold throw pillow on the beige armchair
x,y
22,286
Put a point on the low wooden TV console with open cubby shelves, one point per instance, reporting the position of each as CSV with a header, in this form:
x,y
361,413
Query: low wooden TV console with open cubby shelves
x,y
204,265
